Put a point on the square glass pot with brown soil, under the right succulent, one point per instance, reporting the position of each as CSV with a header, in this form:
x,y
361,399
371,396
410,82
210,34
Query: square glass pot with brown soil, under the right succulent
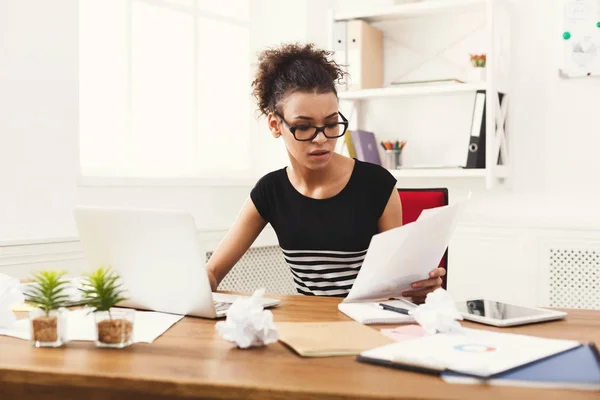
x,y
114,328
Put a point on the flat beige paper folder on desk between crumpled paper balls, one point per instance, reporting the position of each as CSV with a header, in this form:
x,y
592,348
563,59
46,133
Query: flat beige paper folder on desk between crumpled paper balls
x,y
323,339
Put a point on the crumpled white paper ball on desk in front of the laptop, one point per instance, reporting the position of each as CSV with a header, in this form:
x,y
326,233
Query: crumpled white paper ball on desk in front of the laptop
x,y
248,323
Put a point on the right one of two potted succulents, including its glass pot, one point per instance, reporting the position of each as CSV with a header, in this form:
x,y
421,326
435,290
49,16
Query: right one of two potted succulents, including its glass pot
x,y
101,292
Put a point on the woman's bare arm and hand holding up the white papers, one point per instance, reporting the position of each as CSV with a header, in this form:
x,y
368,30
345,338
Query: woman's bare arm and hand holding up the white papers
x,y
392,218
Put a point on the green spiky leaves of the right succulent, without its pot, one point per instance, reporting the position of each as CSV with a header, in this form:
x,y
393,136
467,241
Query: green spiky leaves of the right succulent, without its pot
x,y
101,291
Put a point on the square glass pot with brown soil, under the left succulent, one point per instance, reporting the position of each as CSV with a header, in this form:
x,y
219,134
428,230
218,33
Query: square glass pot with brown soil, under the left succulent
x,y
48,329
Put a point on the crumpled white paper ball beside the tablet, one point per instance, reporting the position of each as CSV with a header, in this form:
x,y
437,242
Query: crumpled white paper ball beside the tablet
x,y
438,313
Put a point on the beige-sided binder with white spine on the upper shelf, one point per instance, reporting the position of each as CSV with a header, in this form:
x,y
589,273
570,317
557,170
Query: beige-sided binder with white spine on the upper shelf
x,y
364,55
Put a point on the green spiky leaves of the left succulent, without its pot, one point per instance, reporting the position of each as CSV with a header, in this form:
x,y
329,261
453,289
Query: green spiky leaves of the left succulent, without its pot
x,y
48,290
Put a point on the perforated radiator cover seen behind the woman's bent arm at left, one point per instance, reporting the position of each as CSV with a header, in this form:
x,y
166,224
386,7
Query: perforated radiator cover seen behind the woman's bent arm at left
x,y
259,267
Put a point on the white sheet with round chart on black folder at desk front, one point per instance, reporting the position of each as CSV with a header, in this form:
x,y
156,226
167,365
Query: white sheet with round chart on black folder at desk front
x,y
475,353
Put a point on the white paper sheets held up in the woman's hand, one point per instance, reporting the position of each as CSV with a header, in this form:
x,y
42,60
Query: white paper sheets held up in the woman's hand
x,y
401,256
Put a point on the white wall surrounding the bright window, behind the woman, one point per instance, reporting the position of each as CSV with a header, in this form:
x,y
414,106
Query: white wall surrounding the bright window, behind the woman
x,y
39,122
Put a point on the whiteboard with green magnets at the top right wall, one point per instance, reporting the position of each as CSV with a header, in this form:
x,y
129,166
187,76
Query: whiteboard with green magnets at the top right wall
x,y
580,38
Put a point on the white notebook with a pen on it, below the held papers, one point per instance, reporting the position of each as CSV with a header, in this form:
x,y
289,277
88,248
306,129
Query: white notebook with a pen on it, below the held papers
x,y
371,313
